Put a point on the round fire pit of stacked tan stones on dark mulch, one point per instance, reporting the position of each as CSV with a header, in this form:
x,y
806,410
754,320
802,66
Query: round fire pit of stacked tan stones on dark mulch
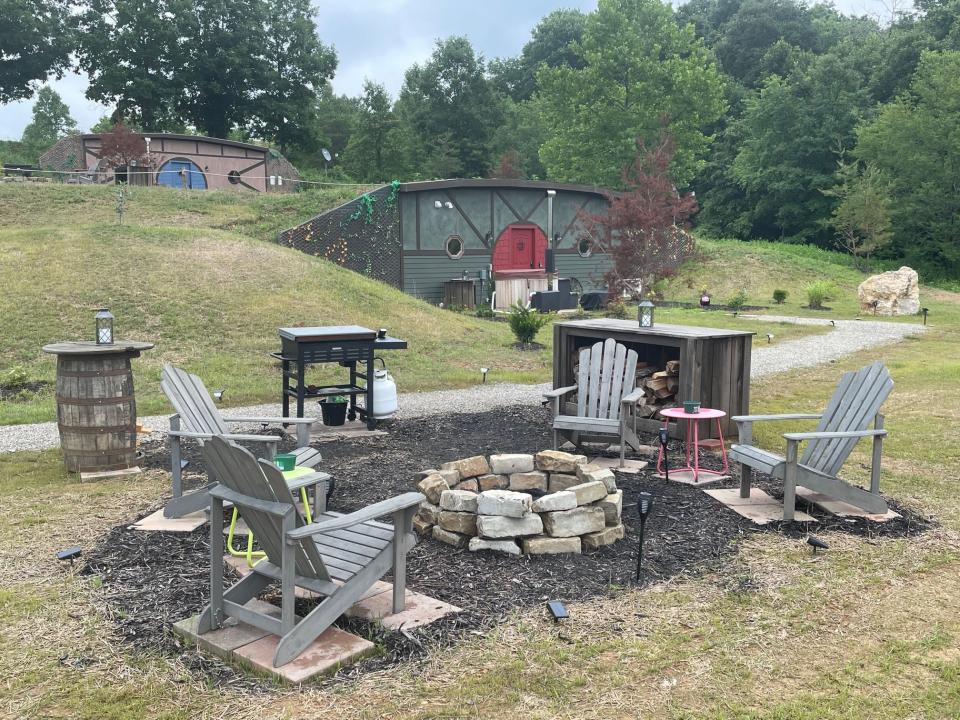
x,y
548,503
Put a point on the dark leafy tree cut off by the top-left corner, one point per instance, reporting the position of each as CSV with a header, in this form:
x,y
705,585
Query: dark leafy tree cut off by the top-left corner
x,y
35,42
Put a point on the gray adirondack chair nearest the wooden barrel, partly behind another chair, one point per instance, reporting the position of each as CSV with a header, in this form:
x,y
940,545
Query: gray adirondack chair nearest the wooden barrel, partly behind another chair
x,y
197,418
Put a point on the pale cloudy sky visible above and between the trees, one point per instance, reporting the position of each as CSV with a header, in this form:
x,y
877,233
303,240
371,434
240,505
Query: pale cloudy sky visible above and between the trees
x,y
380,39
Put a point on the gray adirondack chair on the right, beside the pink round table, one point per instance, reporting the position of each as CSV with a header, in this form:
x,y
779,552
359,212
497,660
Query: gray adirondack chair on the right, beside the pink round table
x,y
855,403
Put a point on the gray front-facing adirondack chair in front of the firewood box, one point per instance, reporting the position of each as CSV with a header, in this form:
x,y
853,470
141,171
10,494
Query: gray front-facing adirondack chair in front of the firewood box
x,y
606,396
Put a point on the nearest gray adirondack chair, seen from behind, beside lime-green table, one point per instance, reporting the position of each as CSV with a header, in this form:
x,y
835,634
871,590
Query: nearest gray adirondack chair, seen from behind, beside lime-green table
x,y
337,556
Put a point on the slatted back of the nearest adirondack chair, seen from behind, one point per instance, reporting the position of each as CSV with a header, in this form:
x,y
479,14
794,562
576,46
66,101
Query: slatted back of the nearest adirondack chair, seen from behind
x,y
240,471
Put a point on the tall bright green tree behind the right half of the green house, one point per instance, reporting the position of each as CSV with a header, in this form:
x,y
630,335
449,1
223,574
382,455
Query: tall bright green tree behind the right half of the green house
x,y
639,67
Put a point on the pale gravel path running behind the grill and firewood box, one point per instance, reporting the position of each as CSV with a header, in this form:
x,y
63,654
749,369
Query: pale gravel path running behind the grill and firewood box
x,y
848,336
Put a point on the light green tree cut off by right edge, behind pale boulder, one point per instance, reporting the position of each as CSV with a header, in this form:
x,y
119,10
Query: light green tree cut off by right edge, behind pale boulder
x,y
914,141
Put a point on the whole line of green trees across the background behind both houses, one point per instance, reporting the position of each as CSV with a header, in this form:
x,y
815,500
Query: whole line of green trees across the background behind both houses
x,y
789,121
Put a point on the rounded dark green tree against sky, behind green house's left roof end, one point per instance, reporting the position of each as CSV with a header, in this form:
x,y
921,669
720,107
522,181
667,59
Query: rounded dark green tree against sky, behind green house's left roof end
x,y
451,109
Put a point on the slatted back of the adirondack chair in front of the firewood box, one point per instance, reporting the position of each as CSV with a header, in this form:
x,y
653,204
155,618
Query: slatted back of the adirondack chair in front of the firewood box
x,y
607,372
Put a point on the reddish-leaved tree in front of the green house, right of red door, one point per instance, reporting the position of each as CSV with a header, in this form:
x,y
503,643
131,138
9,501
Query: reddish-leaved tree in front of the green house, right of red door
x,y
644,228
